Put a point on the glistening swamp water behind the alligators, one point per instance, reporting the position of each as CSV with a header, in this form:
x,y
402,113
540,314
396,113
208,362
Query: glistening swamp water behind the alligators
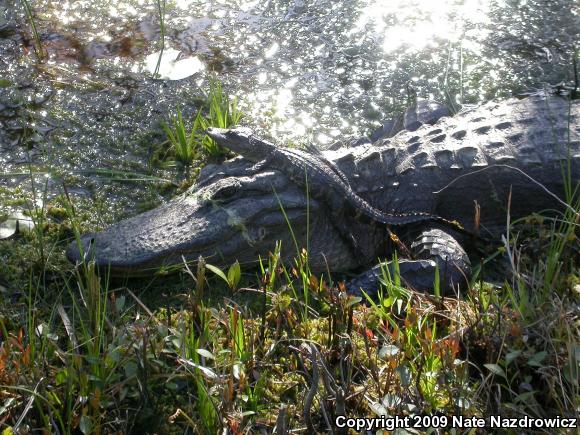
x,y
304,70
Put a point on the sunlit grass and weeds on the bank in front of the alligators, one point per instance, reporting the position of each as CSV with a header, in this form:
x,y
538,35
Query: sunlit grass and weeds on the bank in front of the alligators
x,y
79,355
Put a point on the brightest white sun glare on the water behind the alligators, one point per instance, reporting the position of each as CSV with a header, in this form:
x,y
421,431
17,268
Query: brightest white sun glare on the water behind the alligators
x,y
415,26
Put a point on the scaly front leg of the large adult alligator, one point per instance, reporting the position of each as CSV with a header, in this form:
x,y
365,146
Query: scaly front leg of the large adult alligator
x,y
433,248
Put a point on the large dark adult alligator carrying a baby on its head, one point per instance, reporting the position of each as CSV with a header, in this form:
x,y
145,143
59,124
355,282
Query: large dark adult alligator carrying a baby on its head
x,y
474,167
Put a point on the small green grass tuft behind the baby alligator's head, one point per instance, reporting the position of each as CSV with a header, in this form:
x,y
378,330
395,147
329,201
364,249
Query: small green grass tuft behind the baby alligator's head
x,y
218,110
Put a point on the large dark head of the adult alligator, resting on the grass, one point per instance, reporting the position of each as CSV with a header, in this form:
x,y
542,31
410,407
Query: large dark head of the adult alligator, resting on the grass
x,y
230,214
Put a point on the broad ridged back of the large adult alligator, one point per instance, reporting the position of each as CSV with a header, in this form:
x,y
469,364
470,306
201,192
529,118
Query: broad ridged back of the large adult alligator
x,y
474,160
